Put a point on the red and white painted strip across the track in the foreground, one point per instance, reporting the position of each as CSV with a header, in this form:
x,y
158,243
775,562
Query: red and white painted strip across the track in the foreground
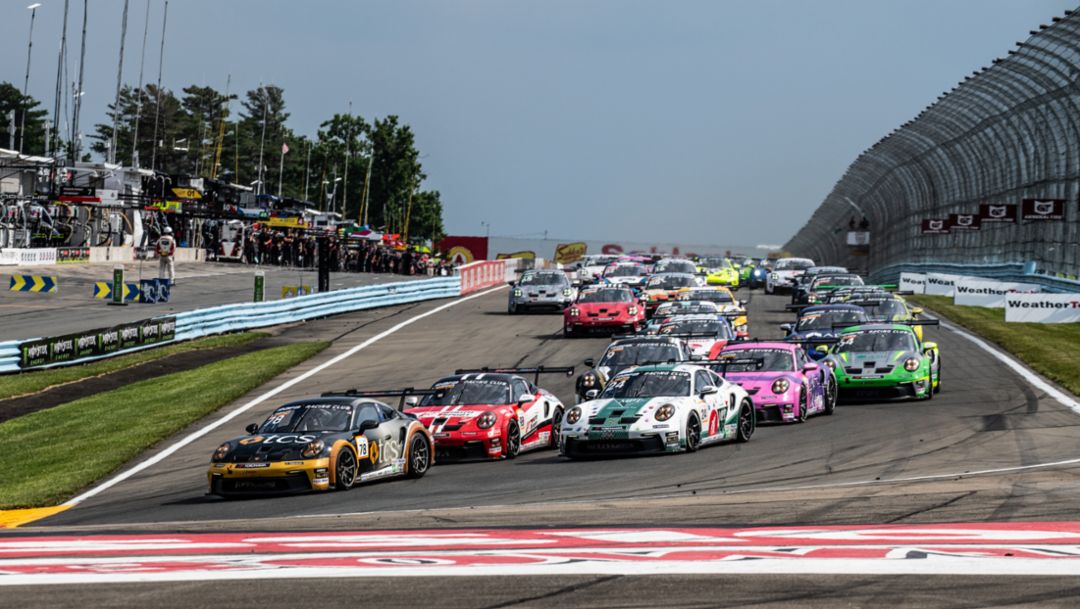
x,y
1014,549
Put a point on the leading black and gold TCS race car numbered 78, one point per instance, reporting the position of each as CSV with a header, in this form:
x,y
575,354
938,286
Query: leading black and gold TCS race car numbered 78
x,y
334,441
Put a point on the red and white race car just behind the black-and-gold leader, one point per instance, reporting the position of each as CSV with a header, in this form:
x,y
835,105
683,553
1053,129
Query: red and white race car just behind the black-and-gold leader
x,y
491,413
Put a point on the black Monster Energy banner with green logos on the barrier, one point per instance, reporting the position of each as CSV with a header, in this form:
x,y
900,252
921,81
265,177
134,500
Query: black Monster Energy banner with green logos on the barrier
x,y
92,344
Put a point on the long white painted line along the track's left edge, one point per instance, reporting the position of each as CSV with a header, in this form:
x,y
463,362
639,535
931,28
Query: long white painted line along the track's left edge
x,y
236,413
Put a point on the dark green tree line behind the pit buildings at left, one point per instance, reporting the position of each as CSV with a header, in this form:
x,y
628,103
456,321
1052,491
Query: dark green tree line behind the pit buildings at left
x,y
205,132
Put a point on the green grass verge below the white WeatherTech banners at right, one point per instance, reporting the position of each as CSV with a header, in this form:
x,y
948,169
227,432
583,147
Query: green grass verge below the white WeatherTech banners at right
x,y
1050,349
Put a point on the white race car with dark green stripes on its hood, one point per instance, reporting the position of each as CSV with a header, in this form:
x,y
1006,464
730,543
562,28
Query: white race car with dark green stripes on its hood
x,y
657,410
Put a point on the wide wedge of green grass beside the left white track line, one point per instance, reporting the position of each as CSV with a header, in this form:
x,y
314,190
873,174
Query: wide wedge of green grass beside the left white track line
x,y
51,455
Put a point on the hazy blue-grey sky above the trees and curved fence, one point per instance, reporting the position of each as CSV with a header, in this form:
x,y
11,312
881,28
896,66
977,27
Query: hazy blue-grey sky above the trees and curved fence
x,y
669,121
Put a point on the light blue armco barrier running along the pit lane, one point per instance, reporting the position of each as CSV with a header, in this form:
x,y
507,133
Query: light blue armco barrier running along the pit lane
x,y
231,318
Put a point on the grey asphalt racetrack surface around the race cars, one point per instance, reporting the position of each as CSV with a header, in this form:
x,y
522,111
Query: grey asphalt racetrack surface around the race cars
x,y
871,464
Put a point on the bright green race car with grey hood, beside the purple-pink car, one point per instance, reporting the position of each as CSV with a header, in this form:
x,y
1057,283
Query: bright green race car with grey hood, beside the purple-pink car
x,y
886,362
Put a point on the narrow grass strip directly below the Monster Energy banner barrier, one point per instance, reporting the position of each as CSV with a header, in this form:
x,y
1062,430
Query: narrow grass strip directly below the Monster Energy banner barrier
x,y
34,382
